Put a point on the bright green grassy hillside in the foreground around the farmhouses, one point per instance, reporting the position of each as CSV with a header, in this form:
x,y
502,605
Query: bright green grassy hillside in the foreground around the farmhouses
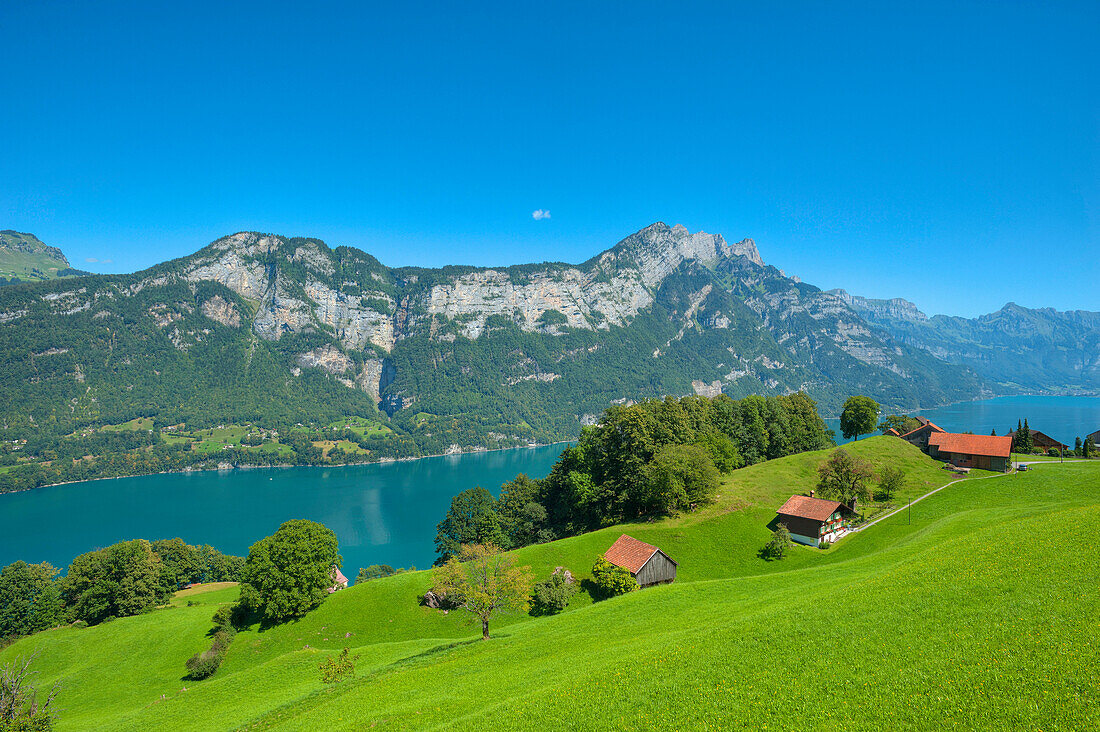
x,y
980,614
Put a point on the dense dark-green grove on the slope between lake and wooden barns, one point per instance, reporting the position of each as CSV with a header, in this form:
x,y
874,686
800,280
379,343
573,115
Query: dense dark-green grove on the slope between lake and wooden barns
x,y
657,457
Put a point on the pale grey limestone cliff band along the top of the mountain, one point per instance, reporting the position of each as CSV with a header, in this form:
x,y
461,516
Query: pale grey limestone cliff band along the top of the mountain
x,y
608,291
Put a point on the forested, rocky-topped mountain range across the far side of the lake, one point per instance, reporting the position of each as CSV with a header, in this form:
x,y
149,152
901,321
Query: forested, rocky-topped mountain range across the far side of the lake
x,y
284,331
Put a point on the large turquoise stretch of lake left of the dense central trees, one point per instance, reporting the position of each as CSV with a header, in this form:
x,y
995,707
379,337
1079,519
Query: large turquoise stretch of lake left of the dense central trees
x,y
382,514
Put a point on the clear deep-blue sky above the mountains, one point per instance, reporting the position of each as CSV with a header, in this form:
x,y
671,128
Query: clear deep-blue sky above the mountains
x,y
945,154
